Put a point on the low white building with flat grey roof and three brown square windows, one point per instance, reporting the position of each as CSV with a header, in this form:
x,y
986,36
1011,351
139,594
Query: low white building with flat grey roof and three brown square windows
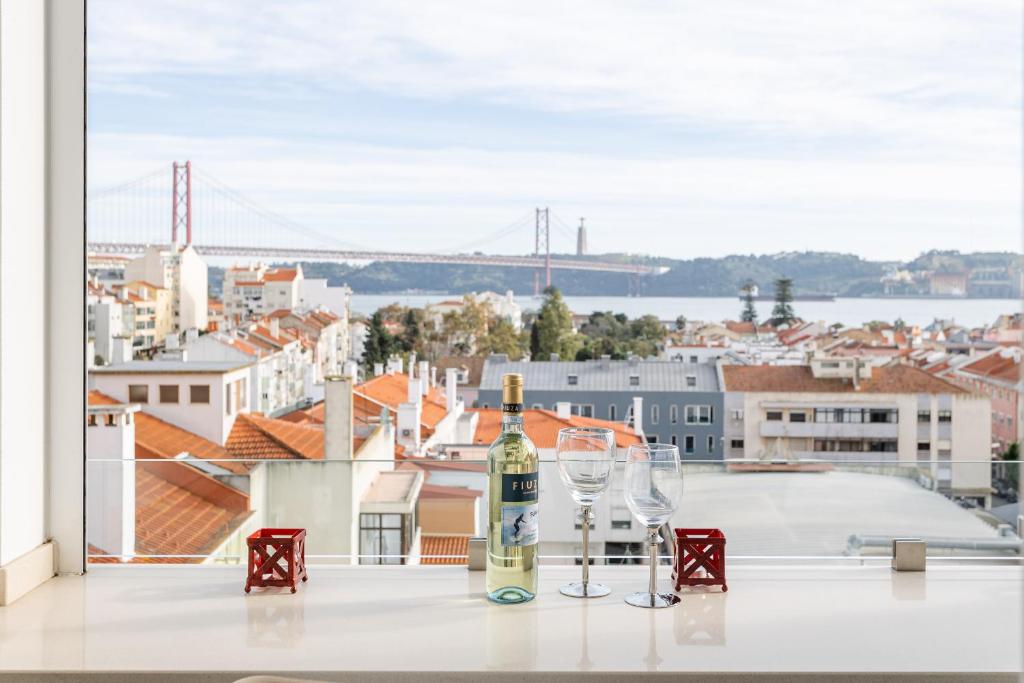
x,y
203,398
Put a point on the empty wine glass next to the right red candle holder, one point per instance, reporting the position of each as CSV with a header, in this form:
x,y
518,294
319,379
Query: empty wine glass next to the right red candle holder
x,y
654,490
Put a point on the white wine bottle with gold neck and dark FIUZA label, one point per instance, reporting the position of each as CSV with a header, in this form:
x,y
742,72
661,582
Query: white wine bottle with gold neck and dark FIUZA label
x,y
513,515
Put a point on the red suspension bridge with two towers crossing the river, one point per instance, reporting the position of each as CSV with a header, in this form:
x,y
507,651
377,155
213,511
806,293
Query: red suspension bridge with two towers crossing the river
x,y
220,222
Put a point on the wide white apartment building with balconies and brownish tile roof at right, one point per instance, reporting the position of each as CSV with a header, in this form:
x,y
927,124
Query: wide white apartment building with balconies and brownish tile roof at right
x,y
844,410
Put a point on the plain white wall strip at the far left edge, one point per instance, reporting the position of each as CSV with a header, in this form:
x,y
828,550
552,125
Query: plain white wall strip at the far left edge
x,y
23,278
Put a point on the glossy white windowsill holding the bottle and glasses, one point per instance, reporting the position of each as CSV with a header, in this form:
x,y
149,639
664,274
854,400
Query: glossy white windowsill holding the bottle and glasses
x,y
962,620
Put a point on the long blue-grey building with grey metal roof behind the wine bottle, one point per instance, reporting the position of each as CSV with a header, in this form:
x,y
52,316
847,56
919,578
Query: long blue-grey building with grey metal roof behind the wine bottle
x,y
682,402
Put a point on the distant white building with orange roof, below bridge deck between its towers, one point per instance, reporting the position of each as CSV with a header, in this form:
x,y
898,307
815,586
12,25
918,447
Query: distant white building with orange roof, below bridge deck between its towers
x,y
257,290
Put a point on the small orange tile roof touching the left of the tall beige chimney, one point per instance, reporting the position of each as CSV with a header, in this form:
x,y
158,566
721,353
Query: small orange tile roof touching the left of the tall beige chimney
x,y
258,437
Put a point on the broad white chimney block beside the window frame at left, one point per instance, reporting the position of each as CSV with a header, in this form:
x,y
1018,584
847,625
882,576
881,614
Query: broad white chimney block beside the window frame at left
x,y
111,505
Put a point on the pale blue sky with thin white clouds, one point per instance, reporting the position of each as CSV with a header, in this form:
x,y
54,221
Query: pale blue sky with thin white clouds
x,y
684,130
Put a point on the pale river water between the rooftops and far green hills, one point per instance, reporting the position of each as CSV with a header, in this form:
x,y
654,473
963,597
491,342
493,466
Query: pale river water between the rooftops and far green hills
x,y
851,313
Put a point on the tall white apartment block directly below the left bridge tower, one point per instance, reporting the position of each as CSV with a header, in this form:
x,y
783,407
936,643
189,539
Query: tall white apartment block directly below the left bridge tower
x,y
183,272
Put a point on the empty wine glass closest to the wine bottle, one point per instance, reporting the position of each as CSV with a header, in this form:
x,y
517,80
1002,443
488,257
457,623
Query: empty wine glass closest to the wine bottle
x,y
586,456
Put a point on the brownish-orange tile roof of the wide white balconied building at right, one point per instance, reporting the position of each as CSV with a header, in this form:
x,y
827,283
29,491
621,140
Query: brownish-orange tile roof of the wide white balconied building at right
x,y
894,379
